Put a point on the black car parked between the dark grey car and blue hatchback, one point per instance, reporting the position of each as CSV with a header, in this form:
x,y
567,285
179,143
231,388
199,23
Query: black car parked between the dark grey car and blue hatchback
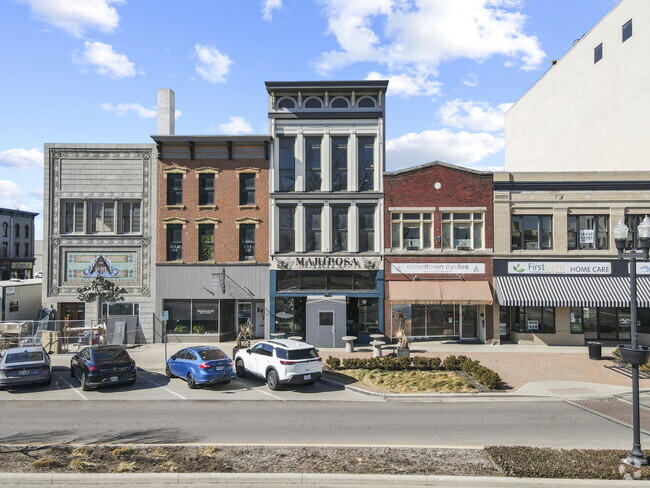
x,y
103,365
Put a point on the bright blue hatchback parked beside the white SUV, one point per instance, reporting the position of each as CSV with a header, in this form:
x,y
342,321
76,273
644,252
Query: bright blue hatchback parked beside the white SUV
x,y
201,365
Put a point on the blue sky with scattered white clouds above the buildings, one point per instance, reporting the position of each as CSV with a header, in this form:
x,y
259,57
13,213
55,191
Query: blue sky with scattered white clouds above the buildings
x,y
87,71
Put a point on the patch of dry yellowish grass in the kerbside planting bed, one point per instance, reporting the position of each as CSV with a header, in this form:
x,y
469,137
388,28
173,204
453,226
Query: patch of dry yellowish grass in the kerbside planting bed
x,y
412,381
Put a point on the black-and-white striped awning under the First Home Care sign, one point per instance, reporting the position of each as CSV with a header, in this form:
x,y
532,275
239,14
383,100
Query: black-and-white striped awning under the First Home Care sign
x,y
570,291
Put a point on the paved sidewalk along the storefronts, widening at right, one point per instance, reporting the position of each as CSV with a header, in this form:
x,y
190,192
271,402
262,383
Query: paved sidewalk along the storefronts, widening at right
x,y
559,371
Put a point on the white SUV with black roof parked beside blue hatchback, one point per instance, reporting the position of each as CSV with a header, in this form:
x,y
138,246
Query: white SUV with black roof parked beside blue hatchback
x,y
280,361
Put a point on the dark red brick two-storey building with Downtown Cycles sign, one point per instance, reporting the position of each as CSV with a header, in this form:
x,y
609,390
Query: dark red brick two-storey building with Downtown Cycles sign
x,y
438,244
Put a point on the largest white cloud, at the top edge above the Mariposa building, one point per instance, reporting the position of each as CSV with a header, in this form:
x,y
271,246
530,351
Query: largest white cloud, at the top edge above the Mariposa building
x,y
415,37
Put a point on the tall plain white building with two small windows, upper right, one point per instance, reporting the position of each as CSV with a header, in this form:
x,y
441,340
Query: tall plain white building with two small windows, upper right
x,y
589,111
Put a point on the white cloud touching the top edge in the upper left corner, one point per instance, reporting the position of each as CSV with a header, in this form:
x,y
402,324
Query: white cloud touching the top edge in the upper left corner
x,y
77,16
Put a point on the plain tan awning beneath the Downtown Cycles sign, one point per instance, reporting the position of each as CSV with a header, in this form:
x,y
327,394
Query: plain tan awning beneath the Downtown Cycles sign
x,y
440,292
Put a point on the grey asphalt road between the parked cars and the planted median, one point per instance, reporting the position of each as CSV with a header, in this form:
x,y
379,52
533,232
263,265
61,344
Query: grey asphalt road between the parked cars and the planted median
x,y
552,424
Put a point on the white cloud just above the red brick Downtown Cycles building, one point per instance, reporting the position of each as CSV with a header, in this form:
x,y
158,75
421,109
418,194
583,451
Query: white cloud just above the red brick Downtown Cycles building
x,y
462,148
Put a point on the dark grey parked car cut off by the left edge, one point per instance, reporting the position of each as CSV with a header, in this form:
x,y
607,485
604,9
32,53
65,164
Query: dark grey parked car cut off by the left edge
x,y
25,365
